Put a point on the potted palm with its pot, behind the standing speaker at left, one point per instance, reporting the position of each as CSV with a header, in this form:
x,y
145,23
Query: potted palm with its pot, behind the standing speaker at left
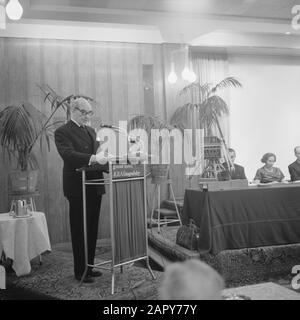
x,y
21,127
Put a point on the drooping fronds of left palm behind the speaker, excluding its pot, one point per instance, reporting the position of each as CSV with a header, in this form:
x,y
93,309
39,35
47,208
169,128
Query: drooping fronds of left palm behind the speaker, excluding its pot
x,y
23,125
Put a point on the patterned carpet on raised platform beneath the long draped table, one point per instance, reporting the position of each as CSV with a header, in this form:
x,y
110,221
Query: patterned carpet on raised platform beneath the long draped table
x,y
238,267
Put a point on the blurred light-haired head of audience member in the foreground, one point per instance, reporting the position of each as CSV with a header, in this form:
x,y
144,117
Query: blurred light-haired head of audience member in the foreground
x,y
191,280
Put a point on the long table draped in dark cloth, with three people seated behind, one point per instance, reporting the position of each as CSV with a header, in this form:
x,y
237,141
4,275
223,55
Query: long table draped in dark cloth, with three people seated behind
x,y
250,217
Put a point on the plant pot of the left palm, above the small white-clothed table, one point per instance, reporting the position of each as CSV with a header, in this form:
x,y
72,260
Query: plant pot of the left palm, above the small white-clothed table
x,y
23,181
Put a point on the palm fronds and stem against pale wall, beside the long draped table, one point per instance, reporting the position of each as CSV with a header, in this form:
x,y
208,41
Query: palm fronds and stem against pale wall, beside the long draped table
x,y
205,103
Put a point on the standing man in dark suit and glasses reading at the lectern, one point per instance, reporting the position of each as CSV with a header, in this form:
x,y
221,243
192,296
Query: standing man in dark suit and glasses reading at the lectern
x,y
77,145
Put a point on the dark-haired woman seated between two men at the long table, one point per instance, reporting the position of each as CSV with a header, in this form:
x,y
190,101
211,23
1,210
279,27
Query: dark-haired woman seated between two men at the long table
x,y
268,173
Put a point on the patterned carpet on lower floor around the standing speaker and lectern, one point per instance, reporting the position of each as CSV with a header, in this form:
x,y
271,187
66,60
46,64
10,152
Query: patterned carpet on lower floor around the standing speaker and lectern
x,y
54,280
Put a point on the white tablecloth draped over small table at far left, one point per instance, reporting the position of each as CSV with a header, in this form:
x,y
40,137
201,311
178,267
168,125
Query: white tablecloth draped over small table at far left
x,y
23,239
